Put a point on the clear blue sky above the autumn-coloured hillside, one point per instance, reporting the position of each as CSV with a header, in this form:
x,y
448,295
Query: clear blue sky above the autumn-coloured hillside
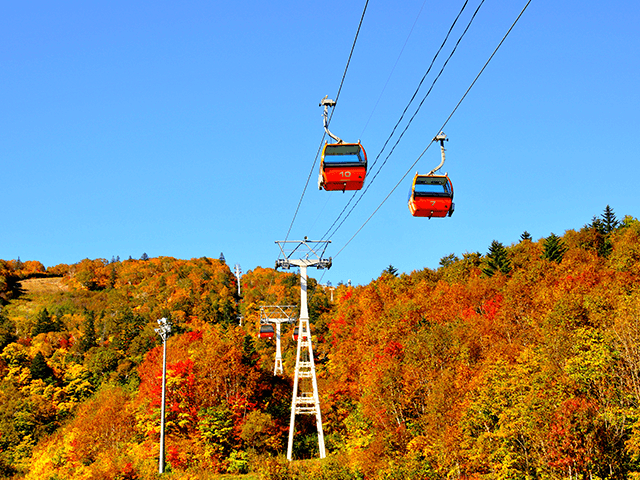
x,y
188,129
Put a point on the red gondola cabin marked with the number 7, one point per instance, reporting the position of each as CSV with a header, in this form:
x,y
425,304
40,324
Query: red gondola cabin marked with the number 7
x,y
431,196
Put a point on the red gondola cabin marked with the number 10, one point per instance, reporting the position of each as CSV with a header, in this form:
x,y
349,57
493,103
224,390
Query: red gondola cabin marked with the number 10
x,y
343,166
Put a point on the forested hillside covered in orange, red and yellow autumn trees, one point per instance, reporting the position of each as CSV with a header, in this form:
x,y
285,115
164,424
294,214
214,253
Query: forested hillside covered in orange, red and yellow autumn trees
x,y
520,362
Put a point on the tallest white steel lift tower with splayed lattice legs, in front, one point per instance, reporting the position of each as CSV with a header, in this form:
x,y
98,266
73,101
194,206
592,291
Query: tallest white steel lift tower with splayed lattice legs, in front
x,y
305,399
